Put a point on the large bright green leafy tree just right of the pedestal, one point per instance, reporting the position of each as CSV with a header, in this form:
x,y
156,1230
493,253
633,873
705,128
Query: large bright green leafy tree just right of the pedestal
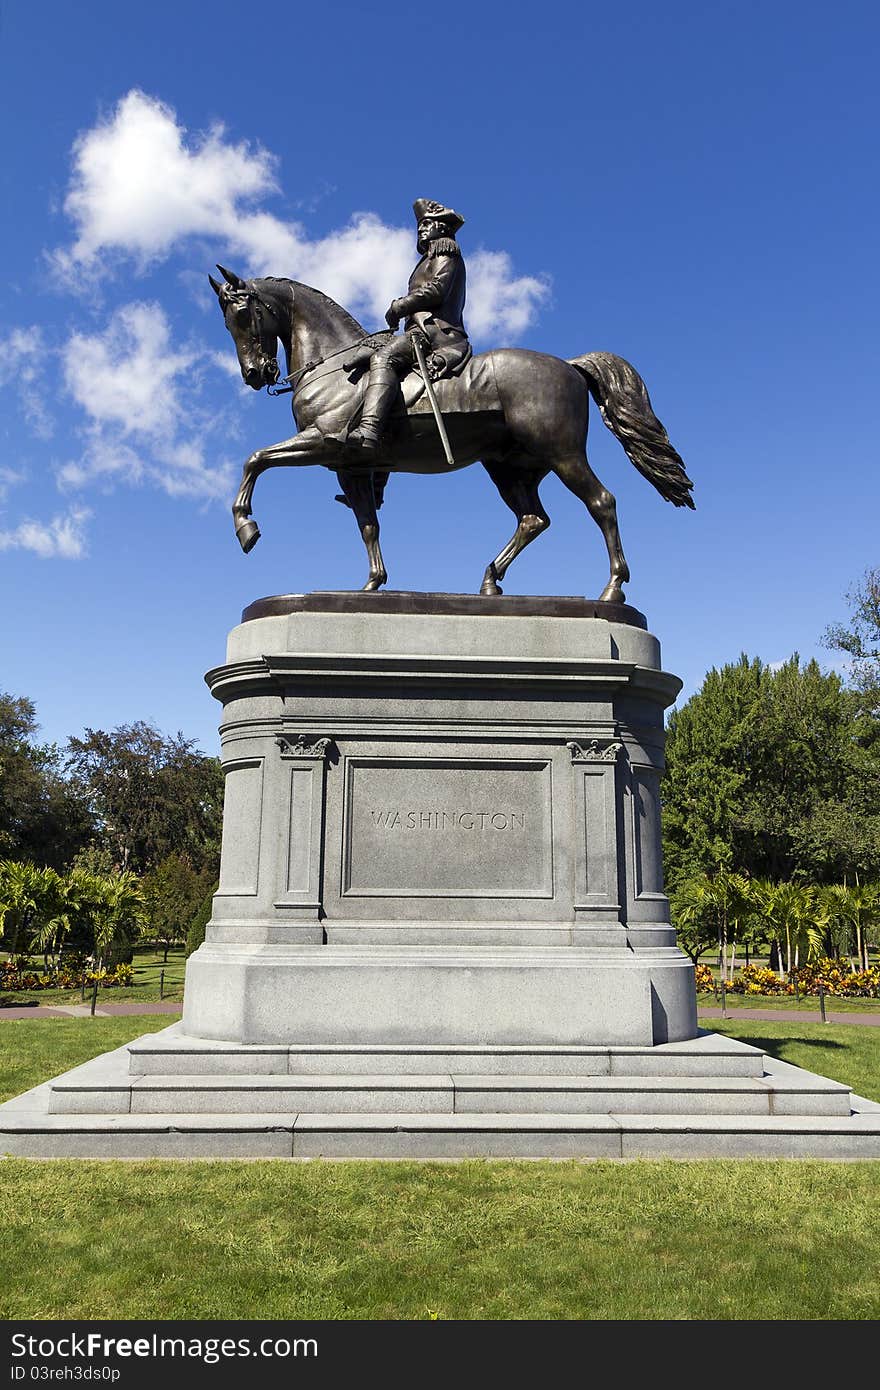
x,y
769,771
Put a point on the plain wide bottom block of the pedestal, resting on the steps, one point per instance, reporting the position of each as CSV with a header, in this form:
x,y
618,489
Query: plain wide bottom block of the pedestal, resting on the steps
x,y
440,996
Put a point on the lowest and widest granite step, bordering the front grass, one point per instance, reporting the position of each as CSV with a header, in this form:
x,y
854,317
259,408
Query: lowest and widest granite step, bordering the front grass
x,y
33,1134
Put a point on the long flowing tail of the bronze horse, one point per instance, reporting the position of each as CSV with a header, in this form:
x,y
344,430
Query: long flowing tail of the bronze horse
x,y
625,404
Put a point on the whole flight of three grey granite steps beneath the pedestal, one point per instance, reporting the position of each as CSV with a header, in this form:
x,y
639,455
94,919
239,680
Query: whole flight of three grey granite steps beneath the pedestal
x,y
169,1096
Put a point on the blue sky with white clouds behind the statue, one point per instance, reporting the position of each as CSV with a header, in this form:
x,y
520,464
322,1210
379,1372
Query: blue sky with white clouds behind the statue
x,y
692,187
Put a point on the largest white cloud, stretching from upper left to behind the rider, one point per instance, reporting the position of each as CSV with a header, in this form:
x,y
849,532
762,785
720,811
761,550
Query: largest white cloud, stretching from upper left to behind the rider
x,y
141,187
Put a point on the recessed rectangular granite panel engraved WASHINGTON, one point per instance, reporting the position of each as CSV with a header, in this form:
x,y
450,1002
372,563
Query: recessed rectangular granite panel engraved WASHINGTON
x,y
448,829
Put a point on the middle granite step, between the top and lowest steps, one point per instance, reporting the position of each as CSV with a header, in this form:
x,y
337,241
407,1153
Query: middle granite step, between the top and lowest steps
x,y
105,1090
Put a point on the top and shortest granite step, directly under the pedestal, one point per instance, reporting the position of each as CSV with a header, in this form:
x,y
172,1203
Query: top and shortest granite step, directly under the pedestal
x,y
172,1053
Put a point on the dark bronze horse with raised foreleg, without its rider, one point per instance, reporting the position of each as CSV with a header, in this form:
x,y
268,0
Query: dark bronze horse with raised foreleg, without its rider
x,y
522,414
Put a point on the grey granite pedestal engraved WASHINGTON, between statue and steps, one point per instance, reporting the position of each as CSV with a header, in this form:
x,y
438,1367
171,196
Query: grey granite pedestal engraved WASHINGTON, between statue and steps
x,y
441,826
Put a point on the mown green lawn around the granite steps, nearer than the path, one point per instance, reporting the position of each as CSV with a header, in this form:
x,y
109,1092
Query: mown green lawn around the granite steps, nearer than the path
x,y
473,1241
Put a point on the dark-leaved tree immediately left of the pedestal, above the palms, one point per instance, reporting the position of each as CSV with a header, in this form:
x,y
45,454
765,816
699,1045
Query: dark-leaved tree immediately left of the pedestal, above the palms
x,y
151,796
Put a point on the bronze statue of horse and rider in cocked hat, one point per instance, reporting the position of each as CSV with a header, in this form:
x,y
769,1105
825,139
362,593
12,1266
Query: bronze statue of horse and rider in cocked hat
x,y
421,401
